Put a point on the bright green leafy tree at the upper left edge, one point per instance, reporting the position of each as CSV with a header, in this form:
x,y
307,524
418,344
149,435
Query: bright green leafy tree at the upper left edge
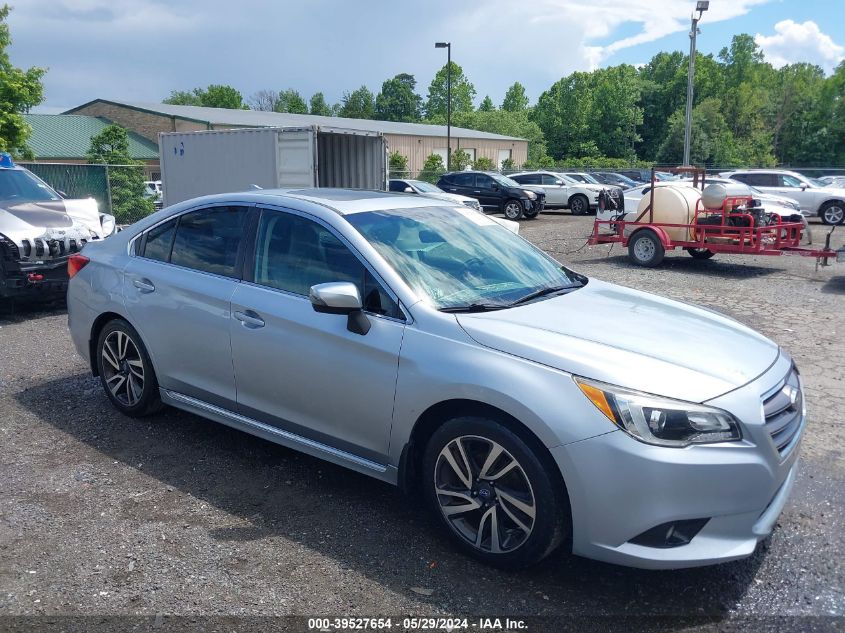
x,y
20,90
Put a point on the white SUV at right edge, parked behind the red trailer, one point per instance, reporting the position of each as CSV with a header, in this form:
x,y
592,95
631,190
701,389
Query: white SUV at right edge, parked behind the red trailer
x,y
826,202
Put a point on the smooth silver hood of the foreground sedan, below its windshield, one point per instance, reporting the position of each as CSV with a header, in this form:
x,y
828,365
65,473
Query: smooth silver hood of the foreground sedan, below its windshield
x,y
631,339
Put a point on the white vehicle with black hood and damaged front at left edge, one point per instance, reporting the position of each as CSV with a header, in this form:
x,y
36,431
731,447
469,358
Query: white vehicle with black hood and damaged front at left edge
x,y
39,230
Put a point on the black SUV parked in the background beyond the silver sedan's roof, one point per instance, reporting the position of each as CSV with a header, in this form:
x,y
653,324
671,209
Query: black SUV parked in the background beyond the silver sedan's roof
x,y
496,193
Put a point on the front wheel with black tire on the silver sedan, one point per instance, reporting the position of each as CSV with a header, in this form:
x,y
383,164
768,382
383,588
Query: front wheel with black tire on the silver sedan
x,y
519,545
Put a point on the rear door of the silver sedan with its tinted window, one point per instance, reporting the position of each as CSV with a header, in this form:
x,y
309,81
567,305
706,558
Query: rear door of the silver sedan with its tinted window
x,y
177,291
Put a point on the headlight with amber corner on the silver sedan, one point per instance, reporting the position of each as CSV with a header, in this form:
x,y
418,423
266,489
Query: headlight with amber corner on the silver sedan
x,y
660,421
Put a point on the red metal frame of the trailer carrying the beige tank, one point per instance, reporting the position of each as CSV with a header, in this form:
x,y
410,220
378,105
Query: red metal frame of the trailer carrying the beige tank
x,y
782,238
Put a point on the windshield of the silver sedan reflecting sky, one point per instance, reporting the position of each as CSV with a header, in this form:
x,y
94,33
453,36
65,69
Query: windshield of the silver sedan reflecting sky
x,y
461,260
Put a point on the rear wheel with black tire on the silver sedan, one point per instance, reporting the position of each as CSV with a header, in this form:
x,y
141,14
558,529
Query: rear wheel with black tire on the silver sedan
x,y
126,395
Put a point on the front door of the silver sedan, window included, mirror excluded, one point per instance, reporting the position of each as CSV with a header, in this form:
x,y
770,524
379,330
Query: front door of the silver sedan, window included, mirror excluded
x,y
302,371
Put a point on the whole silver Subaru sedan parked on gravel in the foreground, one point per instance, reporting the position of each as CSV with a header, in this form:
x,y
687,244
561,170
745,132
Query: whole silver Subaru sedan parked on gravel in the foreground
x,y
528,405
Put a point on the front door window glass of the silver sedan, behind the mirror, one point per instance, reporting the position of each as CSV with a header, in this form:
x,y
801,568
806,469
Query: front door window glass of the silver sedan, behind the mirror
x,y
294,253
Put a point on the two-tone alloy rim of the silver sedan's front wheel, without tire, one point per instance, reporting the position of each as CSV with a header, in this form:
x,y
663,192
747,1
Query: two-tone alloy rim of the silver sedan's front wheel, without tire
x,y
484,494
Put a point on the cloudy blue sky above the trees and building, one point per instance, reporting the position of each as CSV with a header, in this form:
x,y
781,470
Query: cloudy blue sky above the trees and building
x,y
141,49
